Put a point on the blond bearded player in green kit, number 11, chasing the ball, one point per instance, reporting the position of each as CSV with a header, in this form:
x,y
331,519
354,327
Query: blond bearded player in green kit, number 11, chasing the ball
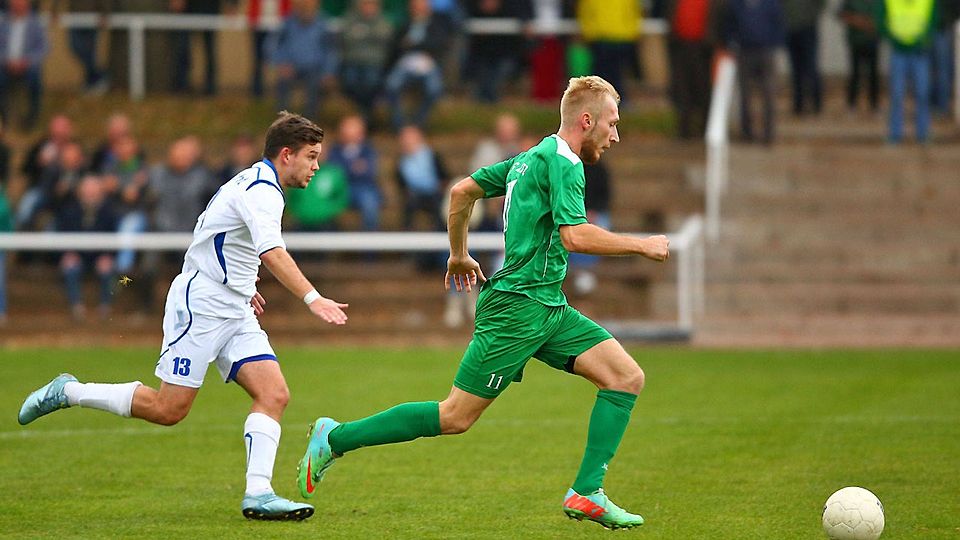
x,y
521,311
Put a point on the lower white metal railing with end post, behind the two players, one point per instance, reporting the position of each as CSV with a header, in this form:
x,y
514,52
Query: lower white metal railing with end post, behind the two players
x,y
686,246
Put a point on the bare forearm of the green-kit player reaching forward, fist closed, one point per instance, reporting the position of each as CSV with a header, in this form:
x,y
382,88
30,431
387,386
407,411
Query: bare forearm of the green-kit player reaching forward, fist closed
x,y
592,240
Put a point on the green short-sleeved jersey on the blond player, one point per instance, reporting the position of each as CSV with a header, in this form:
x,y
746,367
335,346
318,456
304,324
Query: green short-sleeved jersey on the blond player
x,y
544,189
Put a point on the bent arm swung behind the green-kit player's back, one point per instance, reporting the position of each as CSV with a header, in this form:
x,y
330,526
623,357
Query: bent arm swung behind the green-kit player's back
x,y
461,267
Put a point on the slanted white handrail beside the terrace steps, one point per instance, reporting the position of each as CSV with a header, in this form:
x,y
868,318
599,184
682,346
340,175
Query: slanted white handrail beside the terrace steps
x,y
718,142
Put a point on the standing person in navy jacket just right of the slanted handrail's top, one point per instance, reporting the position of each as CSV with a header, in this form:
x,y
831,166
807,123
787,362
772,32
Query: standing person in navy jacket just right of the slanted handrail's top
x,y
754,32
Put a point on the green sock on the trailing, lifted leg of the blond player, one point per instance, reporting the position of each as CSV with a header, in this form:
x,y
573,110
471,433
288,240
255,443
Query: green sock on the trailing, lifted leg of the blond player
x,y
404,422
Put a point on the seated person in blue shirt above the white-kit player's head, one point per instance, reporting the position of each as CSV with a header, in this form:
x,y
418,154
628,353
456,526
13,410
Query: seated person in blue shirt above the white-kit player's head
x,y
304,53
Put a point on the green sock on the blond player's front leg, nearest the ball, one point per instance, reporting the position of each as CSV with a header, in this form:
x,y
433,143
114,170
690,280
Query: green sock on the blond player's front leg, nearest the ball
x,y
608,421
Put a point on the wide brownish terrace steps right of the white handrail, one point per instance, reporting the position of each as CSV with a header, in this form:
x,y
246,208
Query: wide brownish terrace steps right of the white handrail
x,y
826,242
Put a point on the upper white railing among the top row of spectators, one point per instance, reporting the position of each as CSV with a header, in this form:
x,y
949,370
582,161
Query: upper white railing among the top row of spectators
x,y
136,24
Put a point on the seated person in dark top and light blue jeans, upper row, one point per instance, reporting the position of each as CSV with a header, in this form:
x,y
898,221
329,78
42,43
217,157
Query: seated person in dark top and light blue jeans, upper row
x,y
419,45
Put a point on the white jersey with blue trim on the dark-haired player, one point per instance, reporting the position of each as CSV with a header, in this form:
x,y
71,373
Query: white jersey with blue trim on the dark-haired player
x,y
240,223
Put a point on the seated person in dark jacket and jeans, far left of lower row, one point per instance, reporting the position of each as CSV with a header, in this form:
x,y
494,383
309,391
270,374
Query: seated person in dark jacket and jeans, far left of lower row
x,y
42,155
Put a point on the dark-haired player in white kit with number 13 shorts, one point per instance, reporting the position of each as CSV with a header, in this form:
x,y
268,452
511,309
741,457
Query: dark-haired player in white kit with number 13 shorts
x,y
211,316
